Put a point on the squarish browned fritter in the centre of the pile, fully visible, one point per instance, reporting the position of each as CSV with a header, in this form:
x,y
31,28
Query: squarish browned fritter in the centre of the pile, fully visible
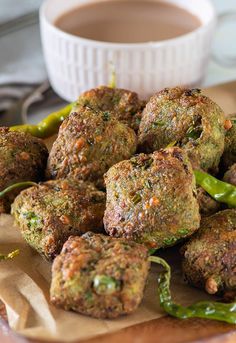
x,y
152,198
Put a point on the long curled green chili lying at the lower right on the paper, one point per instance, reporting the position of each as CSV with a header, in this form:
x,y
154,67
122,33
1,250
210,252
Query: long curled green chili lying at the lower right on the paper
x,y
203,309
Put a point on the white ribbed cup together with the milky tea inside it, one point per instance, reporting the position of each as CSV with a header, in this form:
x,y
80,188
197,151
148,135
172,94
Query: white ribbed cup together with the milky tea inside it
x,y
149,44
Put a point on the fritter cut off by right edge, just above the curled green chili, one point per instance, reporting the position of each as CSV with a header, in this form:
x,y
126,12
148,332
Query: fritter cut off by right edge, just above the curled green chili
x,y
209,258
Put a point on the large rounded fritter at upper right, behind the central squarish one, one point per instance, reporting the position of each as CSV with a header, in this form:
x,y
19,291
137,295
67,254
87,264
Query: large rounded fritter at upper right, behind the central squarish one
x,y
188,119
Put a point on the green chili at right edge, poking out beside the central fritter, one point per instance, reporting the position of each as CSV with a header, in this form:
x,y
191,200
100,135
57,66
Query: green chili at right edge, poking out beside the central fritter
x,y
218,190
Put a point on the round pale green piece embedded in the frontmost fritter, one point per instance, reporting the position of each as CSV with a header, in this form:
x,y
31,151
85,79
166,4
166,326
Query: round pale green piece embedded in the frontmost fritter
x,y
104,284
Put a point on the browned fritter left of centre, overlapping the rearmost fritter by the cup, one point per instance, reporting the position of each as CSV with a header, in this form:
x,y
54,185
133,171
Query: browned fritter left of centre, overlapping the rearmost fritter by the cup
x,y
88,144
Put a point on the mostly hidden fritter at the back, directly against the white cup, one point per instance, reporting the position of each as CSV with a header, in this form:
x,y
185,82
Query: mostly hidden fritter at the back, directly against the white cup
x,y
122,104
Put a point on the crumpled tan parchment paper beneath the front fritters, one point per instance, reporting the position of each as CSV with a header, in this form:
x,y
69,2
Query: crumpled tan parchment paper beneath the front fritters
x,y
24,288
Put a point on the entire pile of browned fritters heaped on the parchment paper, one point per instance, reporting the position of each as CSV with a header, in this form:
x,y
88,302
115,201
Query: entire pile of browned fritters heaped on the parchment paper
x,y
119,180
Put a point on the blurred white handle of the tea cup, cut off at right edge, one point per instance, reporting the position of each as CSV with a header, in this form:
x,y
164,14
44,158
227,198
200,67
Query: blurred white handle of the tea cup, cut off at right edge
x,y
218,56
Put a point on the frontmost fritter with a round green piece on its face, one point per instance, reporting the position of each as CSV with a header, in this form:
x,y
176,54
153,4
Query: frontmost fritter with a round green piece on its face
x,y
86,260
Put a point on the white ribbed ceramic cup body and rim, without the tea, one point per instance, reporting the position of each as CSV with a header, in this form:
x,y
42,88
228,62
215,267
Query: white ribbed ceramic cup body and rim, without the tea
x,y
76,64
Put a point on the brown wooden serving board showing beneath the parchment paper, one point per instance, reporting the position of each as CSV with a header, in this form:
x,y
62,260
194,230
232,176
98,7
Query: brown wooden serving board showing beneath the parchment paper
x,y
165,329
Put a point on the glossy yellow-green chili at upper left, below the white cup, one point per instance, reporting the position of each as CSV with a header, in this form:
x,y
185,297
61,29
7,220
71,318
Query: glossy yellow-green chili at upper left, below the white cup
x,y
48,126
